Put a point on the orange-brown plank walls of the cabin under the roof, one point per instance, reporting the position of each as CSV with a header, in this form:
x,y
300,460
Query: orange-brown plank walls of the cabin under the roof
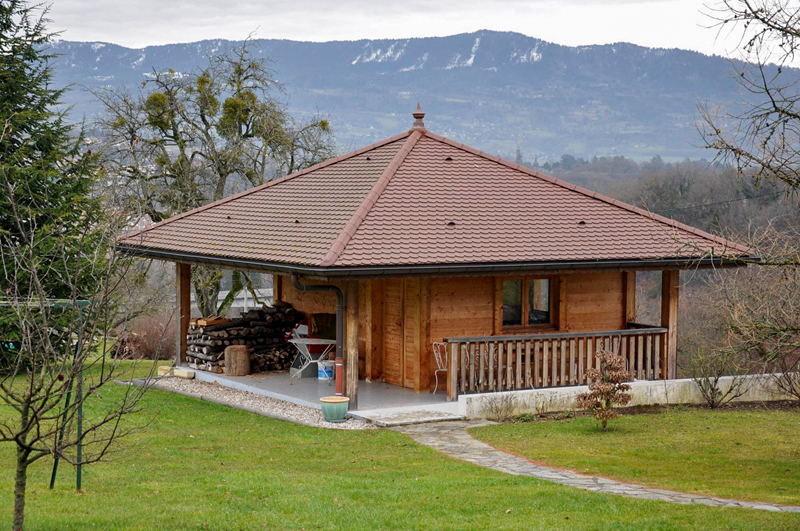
x,y
432,309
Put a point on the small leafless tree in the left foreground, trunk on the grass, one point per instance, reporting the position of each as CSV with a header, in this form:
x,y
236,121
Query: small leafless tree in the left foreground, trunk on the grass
x,y
60,349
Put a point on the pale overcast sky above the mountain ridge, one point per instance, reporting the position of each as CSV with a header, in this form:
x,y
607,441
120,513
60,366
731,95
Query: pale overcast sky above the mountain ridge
x,y
137,23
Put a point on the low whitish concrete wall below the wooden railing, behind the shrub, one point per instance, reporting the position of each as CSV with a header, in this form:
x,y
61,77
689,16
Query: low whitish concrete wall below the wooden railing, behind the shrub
x,y
759,388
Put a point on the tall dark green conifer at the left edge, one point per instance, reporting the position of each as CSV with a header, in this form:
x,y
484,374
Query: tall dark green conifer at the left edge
x,y
46,171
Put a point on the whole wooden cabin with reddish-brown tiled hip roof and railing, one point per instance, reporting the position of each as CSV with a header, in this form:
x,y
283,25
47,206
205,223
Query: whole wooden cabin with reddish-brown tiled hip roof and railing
x,y
425,240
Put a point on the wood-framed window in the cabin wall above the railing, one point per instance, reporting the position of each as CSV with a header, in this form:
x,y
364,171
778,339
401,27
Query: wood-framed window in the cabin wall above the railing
x,y
526,302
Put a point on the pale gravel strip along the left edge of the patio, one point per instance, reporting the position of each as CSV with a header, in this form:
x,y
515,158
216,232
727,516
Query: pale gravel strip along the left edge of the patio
x,y
261,405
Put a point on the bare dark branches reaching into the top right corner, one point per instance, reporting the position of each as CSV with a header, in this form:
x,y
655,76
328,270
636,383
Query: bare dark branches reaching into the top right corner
x,y
760,132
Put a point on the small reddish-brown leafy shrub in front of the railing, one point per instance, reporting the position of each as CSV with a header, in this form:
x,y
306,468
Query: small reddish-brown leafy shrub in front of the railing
x,y
608,387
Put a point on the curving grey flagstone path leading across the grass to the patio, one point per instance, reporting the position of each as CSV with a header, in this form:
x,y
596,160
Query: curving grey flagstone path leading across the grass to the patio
x,y
451,438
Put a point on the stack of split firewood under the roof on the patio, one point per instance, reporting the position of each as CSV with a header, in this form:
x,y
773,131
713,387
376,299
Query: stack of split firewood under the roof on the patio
x,y
262,331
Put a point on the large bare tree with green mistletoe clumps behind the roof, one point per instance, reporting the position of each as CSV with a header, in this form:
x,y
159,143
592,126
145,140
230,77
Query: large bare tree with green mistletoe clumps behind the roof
x,y
186,139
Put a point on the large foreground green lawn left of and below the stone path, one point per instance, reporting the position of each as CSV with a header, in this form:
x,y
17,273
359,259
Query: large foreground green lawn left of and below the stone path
x,y
204,466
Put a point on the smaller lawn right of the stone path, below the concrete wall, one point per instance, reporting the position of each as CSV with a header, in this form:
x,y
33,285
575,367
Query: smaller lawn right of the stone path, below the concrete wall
x,y
746,455
